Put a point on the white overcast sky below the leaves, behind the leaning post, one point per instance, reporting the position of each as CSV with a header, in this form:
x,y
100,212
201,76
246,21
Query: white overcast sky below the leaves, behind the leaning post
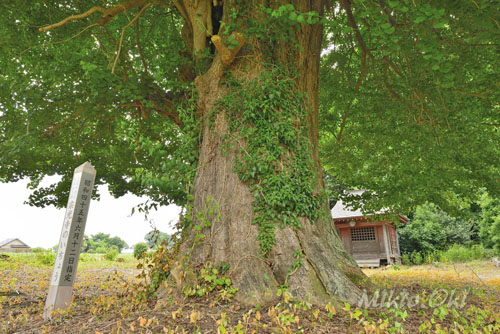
x,y
41,227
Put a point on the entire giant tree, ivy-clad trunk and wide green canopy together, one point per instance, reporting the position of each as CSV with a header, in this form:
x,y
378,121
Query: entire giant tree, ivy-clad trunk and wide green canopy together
x,y
215,106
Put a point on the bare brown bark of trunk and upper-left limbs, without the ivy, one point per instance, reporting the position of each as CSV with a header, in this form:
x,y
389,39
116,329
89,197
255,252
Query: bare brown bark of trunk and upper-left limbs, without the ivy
x,y
328,273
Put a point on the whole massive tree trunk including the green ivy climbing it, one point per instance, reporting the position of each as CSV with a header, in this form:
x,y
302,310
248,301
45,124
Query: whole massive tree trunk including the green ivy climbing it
x,y
259,161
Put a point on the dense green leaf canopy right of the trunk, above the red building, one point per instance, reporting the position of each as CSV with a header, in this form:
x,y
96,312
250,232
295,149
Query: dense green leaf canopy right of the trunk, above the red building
x,y
410,100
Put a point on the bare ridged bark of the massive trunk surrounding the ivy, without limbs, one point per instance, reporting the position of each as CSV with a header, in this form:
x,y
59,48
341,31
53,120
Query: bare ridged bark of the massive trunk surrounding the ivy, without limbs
x,y
223,207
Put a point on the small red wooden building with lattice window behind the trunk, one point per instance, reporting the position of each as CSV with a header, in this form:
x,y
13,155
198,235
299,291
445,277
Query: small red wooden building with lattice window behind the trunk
x,y
370,242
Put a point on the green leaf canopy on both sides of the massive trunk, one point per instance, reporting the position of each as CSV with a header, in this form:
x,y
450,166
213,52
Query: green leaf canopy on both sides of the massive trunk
x,y
409,99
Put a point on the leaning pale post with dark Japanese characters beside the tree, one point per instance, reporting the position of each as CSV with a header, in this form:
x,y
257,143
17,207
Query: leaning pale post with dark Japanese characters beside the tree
x,y
70,242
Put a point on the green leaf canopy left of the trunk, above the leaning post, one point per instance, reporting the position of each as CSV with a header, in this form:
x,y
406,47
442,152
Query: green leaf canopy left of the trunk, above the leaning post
x,y
60,105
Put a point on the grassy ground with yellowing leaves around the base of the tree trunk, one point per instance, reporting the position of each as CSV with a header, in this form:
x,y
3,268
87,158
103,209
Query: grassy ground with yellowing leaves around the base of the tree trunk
x,y
440,298
